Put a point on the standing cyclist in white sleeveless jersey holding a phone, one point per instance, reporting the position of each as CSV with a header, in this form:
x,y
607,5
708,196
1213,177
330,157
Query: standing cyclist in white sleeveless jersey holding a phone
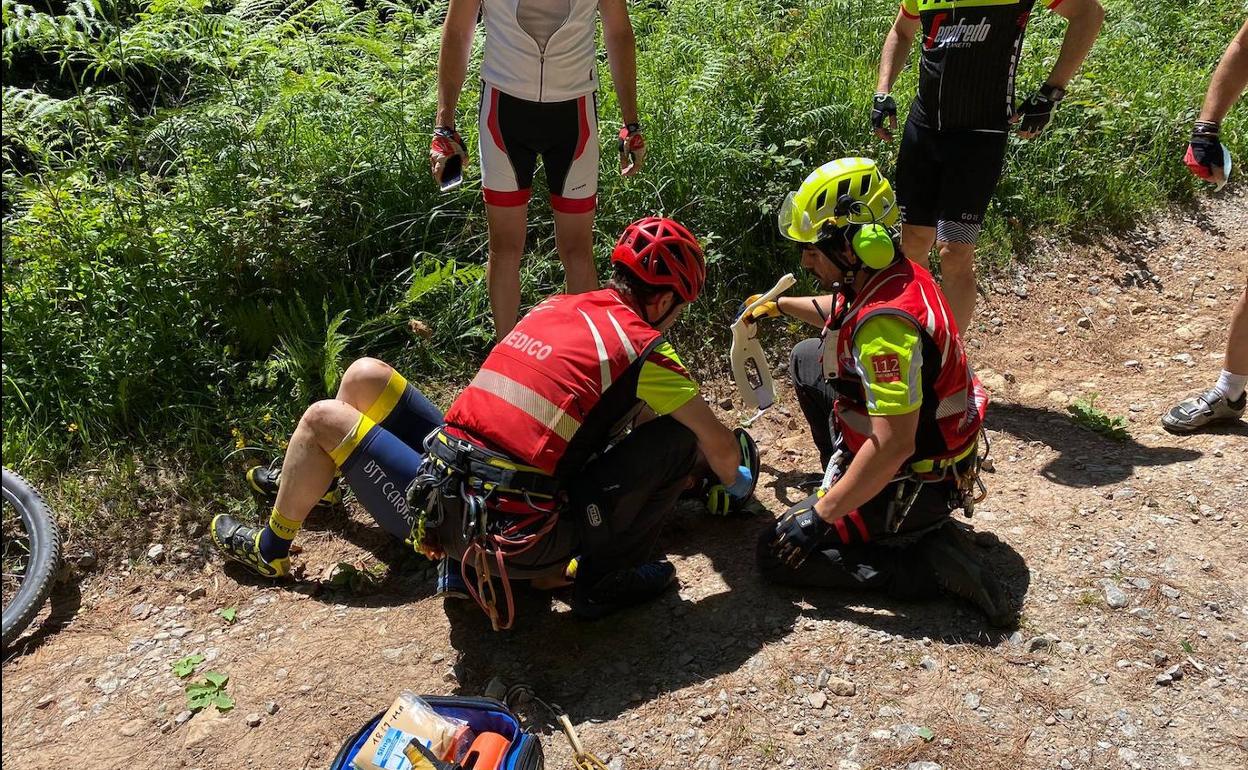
x,y
539,98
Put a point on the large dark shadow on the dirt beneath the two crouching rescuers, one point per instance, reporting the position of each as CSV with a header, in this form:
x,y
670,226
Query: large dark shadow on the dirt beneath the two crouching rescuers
x,y
597,671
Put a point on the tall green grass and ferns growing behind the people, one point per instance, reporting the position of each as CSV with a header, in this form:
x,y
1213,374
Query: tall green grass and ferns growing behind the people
x,y
210,208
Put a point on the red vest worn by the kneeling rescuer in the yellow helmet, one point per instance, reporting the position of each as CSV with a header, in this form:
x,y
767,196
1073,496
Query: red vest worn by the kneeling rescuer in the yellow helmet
x,y
954,401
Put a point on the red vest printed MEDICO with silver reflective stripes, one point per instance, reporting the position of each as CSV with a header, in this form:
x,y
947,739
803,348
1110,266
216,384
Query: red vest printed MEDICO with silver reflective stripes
x,y
540,386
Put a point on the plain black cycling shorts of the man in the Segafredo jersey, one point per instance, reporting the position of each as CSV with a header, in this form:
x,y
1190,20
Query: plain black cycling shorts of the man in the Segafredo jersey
x,y
945,179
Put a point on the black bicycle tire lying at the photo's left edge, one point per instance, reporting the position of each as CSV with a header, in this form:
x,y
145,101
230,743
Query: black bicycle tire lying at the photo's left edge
x,y
46,546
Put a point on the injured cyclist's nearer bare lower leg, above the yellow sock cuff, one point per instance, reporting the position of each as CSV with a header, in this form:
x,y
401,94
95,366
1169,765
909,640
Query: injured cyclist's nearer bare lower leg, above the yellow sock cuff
x,y
308,467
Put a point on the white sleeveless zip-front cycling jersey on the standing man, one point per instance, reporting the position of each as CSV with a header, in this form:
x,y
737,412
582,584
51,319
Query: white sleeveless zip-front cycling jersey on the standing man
x,y
541,51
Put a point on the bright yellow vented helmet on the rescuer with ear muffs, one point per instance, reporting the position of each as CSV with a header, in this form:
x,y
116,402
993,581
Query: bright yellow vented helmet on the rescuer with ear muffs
x,y
819,200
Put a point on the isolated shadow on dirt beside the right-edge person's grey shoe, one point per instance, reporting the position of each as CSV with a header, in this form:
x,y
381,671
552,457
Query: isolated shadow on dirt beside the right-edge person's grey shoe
x,y
1084,459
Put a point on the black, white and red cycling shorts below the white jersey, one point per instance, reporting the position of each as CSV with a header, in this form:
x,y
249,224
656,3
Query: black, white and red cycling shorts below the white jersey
x,y
516,132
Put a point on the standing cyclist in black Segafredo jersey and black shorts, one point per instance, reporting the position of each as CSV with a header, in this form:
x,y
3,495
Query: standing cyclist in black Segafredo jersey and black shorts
x,y
954,144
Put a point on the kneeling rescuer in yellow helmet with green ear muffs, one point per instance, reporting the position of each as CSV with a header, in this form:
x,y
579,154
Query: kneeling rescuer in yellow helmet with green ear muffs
x,y
893,405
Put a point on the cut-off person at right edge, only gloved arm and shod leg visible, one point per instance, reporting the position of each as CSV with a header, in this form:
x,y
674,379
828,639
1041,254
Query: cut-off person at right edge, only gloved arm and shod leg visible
x,y
1207,159
